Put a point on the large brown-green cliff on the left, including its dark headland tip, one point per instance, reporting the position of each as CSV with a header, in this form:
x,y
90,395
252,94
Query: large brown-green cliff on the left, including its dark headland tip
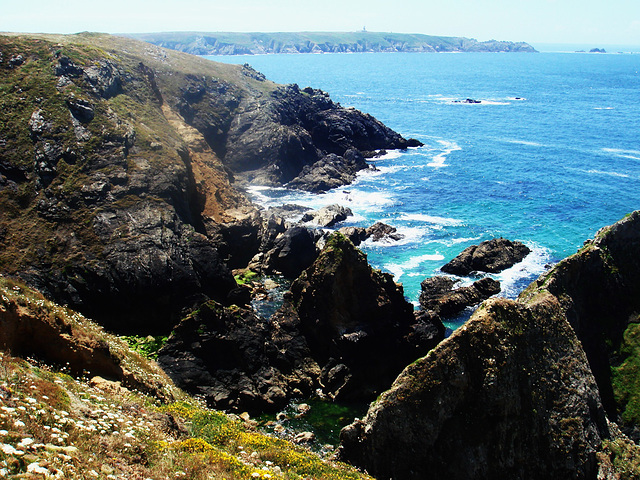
x,y
119,167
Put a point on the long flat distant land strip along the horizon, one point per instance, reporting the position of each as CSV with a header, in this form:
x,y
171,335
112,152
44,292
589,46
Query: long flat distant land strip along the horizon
x,y
230,43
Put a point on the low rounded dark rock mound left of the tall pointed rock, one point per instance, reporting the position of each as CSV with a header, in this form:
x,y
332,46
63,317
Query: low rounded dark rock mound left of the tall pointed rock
x,y
237,361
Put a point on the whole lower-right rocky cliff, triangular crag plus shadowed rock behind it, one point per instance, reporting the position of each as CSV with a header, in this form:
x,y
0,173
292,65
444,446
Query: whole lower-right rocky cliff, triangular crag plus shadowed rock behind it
x,y
525,389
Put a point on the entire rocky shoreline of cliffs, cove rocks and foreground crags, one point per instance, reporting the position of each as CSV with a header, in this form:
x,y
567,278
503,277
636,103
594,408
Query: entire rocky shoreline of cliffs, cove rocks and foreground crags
x,y
121,176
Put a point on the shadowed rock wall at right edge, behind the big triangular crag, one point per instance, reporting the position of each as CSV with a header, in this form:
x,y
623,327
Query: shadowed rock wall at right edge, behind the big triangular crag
x,y
599,291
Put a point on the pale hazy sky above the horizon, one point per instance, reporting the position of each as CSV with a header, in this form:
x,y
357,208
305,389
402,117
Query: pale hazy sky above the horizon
x,y
596,22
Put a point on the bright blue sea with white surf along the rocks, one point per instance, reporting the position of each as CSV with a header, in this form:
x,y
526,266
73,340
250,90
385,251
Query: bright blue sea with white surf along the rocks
x,y
550,155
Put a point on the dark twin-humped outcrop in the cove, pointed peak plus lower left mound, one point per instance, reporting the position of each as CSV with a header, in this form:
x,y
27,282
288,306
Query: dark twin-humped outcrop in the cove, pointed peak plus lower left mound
x,y
344,330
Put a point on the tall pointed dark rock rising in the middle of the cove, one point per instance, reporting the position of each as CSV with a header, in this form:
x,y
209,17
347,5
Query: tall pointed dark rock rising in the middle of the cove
x,y
353,318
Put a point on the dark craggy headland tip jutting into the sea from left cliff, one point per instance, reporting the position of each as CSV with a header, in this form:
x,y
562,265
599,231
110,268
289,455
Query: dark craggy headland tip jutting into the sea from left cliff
x,y
302,139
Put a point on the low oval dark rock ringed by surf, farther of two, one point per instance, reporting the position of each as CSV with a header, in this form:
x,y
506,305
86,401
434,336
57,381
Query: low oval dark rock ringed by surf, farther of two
x,y
491,256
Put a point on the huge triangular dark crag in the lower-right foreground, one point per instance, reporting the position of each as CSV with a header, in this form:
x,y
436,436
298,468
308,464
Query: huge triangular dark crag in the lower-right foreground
x,y
509,395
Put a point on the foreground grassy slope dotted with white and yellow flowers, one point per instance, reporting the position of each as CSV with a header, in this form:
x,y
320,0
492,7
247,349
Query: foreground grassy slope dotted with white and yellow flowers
x,y
72,428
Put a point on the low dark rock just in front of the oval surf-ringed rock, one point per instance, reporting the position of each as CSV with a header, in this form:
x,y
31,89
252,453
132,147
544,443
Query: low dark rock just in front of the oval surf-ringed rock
x,y
439,296
